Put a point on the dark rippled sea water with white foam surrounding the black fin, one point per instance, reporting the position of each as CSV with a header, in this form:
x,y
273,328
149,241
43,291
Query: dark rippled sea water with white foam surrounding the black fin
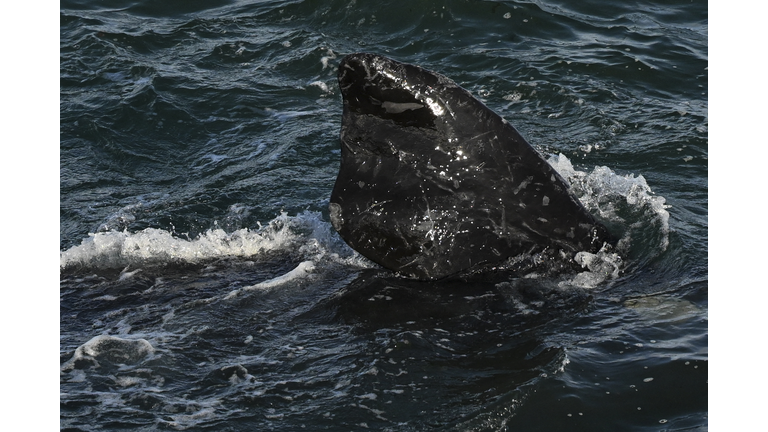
x,y
202,286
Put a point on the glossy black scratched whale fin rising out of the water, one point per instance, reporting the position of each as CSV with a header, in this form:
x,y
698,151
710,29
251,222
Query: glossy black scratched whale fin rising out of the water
x,y
433,183
